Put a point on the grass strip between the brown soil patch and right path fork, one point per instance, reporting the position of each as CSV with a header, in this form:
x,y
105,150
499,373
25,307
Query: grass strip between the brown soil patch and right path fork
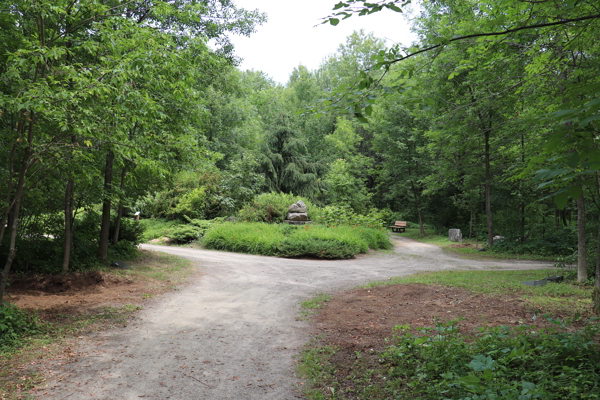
x,y
563,297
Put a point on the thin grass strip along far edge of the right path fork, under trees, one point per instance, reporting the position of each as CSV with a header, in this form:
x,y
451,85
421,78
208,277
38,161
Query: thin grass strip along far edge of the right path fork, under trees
x,y
468,252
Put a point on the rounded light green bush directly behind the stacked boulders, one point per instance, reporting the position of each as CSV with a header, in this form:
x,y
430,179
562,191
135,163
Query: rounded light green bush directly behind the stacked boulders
x,y
273,207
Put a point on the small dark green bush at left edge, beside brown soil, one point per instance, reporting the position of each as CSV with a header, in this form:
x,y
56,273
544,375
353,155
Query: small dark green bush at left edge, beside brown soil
x,y
15,325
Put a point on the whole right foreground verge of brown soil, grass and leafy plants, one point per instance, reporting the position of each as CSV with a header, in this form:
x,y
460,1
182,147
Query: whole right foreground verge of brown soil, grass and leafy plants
x,y
469,335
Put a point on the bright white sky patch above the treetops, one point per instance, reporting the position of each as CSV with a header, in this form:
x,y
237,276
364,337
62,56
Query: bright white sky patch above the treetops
x,y
290,38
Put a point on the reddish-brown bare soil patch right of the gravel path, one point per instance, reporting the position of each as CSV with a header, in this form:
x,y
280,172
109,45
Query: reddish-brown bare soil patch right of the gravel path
x,y
360,320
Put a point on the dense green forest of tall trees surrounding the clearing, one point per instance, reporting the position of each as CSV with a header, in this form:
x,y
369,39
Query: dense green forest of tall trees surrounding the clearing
x,y
489,123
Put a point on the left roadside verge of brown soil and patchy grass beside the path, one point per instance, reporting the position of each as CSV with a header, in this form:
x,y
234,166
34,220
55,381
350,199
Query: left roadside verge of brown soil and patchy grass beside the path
x,y
31,335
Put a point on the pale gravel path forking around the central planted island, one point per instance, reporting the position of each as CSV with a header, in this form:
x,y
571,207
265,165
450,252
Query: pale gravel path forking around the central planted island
x,y
234,332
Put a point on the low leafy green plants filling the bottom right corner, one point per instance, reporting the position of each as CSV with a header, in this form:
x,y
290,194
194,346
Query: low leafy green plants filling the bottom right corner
x,y
443,363
